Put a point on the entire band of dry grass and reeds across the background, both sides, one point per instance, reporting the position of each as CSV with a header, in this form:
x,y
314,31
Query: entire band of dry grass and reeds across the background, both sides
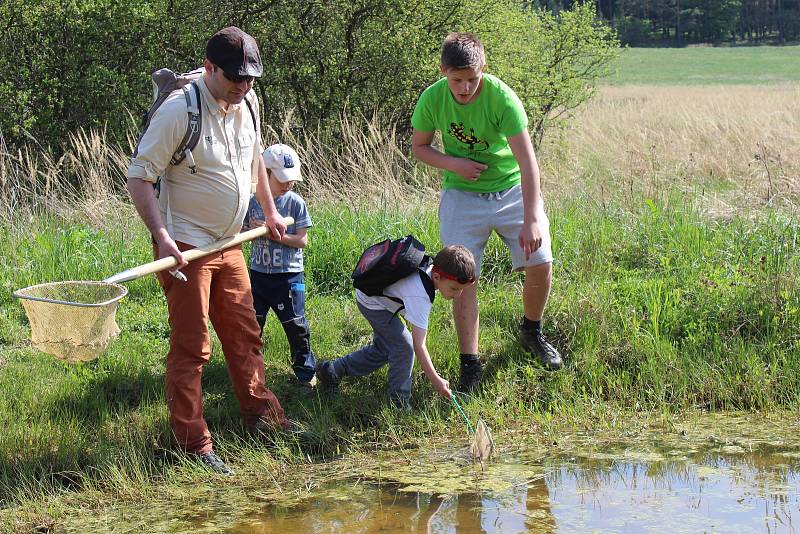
x,y
727,147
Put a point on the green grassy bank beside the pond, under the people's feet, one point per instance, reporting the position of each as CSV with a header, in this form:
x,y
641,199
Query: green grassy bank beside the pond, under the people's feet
x,y
657,310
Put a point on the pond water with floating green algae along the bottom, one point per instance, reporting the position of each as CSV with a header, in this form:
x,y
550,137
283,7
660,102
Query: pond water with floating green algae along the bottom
x,y
713,475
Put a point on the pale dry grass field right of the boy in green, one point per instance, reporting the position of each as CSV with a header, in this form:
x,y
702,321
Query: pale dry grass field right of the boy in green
x,y
731,147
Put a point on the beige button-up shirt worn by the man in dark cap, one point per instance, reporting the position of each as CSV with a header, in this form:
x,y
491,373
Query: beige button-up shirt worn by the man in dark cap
x,y
201,208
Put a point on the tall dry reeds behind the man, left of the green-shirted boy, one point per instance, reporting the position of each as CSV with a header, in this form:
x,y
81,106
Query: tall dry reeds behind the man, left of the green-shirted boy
x,y
362,161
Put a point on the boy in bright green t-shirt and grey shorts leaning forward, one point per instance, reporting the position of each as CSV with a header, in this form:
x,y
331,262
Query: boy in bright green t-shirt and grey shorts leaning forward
x,y
491,183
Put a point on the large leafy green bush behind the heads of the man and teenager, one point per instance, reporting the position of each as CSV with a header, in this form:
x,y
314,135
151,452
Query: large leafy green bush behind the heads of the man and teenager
x,y
87,62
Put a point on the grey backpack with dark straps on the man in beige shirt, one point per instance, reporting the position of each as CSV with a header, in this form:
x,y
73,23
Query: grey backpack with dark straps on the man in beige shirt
x,y
165,82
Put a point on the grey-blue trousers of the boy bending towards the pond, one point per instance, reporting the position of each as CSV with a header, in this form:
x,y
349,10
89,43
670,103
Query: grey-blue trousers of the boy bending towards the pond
x,y
391,342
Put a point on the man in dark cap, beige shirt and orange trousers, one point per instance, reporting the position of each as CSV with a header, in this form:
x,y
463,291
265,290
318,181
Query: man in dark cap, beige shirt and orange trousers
x,y
201,199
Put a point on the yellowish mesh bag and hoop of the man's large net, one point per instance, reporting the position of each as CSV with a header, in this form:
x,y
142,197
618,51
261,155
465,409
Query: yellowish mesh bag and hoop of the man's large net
x,y
73,321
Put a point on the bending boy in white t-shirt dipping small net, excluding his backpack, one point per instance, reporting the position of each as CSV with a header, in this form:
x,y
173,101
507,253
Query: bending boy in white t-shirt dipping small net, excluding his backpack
x,y
453,271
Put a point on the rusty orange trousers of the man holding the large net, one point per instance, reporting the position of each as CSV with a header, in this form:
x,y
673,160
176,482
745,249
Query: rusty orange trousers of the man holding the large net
x,y
218,288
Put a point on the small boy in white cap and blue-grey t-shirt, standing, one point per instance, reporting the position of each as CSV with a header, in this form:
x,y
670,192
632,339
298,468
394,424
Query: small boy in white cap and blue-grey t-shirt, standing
x,y
276,266
